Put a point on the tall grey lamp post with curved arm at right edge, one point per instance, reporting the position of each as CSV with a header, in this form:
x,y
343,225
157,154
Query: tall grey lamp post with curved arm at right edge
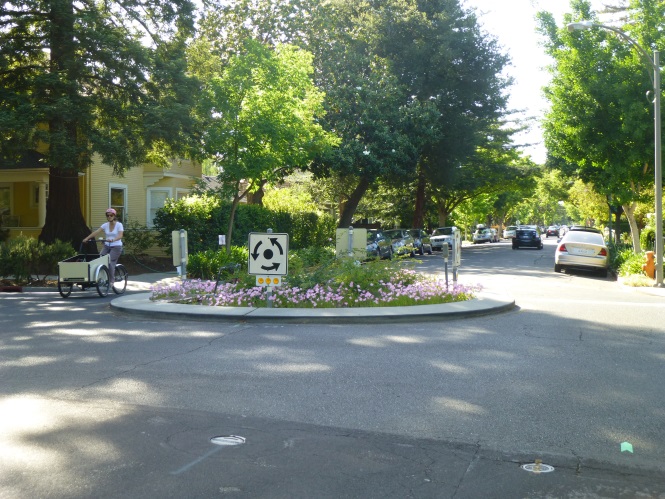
x,y
655,65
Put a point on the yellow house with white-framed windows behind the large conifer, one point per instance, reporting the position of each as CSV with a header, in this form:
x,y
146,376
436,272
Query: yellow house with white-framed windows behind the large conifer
x,y
136,196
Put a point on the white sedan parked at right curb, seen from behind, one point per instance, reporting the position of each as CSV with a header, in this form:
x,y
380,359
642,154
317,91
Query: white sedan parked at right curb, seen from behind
x,y
582,249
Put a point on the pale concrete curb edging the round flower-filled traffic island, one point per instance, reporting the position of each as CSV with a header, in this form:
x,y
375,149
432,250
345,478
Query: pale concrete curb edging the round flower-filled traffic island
x,y
484,304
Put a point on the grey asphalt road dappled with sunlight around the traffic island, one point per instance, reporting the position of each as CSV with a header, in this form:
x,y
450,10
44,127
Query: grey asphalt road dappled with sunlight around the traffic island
x,y
94,403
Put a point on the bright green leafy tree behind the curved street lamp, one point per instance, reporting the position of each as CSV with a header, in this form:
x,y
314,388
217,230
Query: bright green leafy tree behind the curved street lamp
x,y
598,128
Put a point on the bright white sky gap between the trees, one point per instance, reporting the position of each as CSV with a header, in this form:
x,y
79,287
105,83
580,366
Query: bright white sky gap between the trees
x,y
513,23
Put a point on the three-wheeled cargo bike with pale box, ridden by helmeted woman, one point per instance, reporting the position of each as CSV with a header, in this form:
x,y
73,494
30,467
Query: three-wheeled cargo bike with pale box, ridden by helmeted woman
x,y
87,271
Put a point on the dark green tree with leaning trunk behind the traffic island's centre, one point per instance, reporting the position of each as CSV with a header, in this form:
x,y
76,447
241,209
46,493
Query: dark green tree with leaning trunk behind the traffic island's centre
x,y
366,105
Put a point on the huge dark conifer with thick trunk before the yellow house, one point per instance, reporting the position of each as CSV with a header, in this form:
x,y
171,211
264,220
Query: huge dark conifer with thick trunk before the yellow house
x,y
78,79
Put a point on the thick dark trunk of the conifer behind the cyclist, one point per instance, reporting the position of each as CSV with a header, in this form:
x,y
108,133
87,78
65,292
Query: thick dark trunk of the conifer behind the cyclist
x,y
64,220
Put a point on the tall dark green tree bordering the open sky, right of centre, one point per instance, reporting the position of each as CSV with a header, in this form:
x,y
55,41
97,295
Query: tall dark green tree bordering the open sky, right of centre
x,y
442,57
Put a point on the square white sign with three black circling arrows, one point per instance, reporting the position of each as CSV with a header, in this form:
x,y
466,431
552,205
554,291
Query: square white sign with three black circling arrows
x,y
268,254
